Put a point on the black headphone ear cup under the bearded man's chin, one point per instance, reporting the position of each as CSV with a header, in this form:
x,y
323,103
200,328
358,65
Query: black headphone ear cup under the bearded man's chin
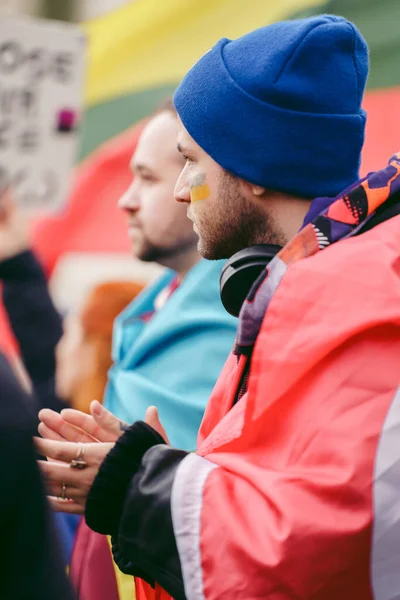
x,y
241,271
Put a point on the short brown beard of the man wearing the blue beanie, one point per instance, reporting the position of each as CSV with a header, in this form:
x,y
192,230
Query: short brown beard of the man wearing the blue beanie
x,y
233,223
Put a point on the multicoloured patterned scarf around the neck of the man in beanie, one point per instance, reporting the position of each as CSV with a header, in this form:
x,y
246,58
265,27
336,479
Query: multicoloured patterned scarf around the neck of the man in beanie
x,y
342,219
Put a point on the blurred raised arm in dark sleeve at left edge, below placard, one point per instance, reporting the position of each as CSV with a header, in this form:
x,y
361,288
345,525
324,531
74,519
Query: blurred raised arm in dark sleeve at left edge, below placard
x,y
35,322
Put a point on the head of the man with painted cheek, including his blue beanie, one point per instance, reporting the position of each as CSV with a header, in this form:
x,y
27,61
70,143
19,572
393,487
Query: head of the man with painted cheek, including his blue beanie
x,y
275,115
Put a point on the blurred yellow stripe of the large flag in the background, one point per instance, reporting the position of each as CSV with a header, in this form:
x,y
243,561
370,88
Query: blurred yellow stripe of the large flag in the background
x,y
150,43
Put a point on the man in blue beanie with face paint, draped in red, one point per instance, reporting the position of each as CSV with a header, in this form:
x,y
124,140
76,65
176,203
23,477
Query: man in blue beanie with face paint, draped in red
x,y
293,491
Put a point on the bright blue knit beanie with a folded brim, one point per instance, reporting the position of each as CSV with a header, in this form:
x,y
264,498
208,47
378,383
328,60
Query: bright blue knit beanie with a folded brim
x,y
281,106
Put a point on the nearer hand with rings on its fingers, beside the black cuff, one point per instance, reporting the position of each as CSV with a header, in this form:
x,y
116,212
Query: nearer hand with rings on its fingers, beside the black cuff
x,y
70,473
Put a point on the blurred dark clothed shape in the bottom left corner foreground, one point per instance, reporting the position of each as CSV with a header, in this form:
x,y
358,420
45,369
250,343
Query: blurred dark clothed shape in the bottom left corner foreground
x,y
31,566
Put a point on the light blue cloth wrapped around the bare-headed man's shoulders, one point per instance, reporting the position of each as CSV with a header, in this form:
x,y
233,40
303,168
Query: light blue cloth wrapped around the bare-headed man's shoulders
x,y
173,360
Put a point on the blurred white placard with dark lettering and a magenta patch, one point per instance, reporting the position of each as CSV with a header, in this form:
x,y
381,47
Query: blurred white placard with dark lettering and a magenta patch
x,y
41,84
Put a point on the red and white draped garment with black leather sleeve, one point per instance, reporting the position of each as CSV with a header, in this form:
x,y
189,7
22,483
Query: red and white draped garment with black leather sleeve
x,y
294,491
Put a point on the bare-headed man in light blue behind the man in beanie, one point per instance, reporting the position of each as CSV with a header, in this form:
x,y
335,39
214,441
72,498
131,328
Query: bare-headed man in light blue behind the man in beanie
x,y
170,343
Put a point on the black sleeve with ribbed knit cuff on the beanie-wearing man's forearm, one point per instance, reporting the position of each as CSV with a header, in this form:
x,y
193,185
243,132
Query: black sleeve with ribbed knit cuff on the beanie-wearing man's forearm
x,y
115,507
